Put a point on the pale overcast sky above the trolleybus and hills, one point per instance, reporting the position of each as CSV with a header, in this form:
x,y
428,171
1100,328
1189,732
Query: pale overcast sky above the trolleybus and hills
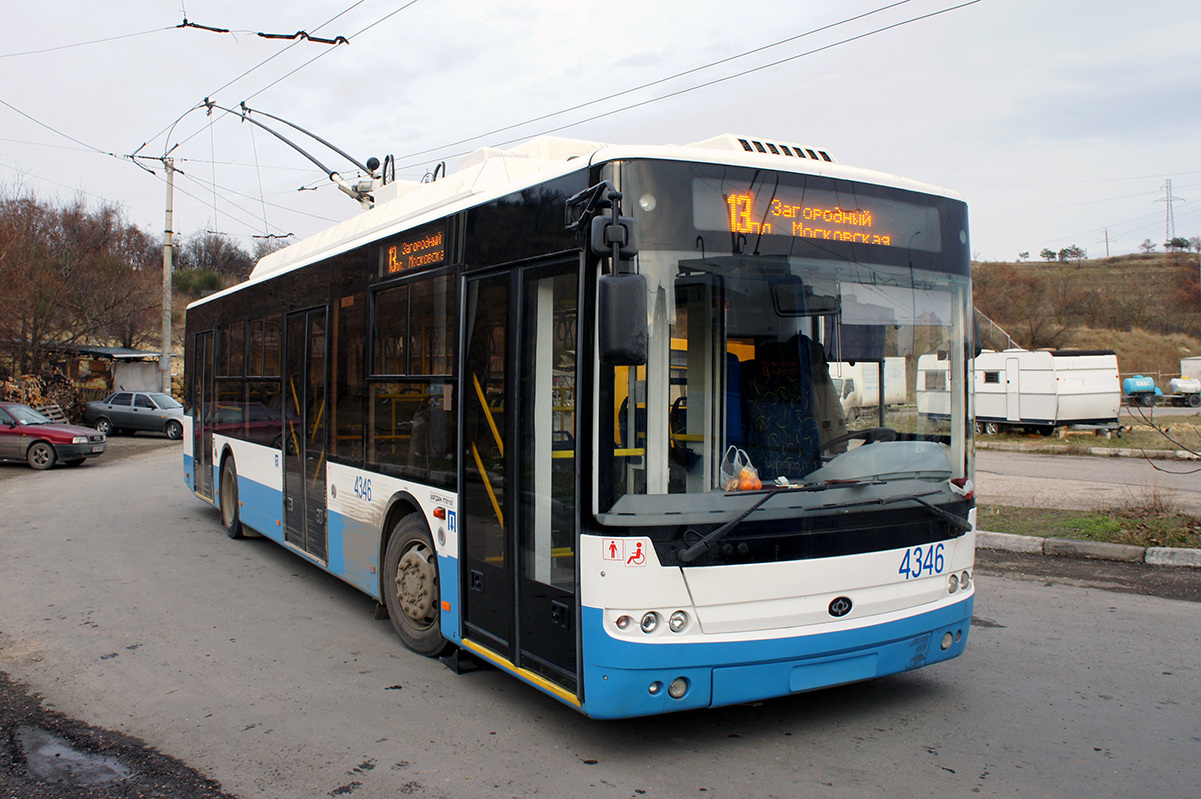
x,y
1060,122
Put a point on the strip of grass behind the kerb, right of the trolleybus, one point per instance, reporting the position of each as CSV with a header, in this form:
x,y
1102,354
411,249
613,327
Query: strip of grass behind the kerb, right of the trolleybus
x,y
1144,523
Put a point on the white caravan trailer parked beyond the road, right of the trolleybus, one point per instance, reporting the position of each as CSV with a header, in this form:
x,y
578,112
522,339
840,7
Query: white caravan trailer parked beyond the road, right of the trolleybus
x,y
1047,389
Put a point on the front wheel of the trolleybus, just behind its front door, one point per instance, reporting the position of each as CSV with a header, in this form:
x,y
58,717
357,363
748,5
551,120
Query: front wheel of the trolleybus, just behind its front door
x,y
411,587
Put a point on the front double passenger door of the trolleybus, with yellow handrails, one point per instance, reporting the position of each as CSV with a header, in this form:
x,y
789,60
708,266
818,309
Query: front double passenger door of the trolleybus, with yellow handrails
x,y
519,457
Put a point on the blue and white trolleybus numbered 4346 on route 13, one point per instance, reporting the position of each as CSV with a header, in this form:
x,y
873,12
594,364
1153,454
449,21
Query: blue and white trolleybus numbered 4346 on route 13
x,y
569,412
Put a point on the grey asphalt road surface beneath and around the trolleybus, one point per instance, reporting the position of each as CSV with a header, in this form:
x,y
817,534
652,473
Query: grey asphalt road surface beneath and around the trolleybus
x,y
124,605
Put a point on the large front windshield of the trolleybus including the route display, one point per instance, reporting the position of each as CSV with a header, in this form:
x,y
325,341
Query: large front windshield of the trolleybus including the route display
x,y
803,332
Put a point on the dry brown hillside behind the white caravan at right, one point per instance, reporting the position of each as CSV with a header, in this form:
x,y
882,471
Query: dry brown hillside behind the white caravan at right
x,y
1146,308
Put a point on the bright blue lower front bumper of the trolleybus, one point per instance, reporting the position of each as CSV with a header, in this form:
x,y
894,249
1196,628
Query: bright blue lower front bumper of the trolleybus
x,y
737,672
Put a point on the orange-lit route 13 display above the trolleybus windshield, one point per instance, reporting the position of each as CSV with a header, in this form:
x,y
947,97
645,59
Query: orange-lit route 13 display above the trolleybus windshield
x,y
821,214
